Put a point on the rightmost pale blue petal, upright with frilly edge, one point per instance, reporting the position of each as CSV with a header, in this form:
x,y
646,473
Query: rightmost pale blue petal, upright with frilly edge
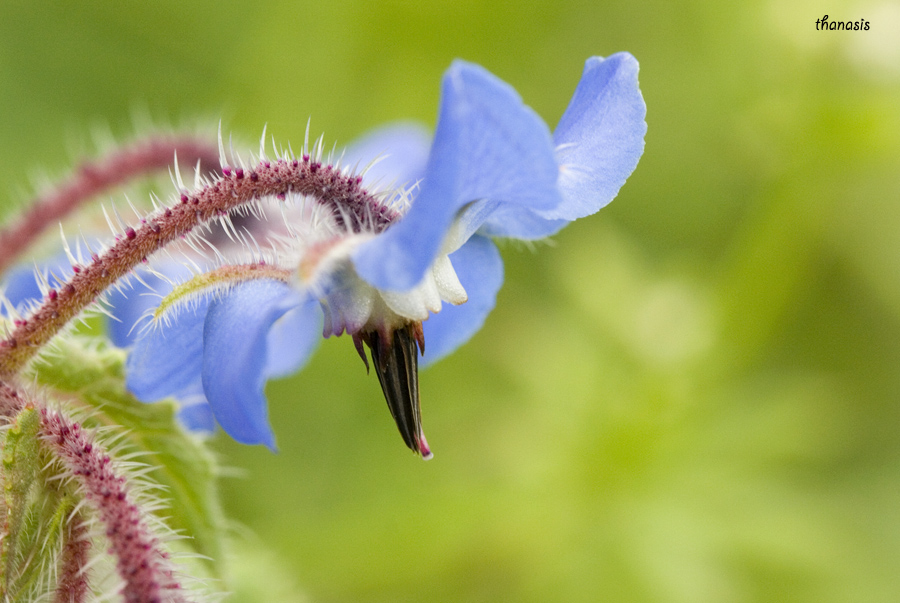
x,y
600,136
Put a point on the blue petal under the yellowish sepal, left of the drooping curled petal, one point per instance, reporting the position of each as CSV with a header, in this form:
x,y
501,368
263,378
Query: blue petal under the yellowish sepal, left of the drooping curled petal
x,y
167,359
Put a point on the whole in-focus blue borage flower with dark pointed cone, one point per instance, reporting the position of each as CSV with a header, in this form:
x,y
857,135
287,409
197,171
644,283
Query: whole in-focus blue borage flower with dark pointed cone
x,y
380,267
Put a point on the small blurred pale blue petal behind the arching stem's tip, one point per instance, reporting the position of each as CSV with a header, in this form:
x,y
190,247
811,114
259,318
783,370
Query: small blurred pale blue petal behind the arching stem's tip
x,y
403,148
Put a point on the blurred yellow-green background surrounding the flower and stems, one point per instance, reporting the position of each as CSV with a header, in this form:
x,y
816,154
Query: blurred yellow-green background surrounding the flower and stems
x,y
691,396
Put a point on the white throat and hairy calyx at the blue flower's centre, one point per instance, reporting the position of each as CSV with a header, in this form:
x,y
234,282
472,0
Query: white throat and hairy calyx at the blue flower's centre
x,y
314,255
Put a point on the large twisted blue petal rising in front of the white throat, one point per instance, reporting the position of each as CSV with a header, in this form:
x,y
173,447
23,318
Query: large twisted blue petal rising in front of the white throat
x,y
488,145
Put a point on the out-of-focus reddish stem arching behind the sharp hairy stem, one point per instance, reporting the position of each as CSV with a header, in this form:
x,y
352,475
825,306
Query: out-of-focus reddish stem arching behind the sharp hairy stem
x,y
95,177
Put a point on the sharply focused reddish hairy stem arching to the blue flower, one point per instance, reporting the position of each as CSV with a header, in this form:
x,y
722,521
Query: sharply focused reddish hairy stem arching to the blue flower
x,y
341,192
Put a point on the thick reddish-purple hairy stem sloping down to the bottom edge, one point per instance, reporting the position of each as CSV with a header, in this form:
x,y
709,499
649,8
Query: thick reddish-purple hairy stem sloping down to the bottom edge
x,y
141,563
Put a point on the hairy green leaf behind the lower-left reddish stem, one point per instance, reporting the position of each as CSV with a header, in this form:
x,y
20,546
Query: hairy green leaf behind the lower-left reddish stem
x,y
89,374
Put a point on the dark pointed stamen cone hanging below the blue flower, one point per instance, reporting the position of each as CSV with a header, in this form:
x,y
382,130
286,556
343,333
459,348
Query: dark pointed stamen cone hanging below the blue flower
x,y
394,357
